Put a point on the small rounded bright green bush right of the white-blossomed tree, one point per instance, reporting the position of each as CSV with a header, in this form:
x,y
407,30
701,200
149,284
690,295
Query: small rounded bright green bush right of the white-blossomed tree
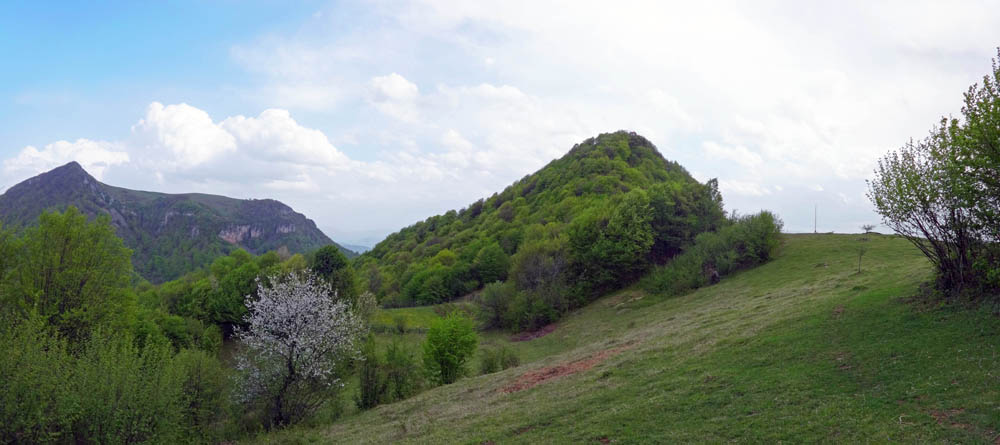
x,y
449,344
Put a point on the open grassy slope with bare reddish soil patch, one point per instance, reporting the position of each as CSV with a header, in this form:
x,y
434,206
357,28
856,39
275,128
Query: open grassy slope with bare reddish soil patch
x,y
801,349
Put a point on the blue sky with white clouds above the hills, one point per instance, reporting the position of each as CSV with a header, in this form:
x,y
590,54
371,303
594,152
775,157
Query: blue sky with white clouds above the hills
x,y
368,116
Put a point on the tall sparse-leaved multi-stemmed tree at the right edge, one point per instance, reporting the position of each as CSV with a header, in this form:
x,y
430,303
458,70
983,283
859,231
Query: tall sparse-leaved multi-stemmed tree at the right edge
x,y
941,193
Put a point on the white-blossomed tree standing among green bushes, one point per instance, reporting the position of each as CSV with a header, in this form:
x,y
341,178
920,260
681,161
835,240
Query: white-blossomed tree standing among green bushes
x,y
296,335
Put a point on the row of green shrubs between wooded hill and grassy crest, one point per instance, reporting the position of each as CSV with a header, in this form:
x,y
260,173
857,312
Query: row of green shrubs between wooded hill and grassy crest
x,y
745,242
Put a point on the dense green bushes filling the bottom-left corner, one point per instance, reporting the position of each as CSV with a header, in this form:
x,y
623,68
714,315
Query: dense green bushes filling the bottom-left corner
x,y
111,391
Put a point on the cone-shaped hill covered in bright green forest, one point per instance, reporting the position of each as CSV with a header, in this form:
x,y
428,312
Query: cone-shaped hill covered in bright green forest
x,y
552,222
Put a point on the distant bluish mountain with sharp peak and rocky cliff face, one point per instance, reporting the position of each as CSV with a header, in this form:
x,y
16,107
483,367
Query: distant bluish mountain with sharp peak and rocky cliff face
x,y
170,234
